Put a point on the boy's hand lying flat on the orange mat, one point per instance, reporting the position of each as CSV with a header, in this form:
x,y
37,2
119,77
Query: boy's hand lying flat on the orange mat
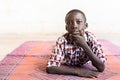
x,y
87,73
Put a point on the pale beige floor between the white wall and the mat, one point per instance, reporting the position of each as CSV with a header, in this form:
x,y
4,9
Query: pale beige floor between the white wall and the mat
x,y
10,41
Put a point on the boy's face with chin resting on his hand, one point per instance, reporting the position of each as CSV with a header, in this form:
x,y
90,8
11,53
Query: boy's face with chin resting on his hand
x,y
75,24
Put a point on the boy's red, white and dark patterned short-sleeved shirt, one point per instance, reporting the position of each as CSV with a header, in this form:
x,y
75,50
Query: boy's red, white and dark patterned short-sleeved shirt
x,y
66,53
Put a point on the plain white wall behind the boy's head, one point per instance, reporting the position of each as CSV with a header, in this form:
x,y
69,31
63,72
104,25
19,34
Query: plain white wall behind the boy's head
x,y
48,15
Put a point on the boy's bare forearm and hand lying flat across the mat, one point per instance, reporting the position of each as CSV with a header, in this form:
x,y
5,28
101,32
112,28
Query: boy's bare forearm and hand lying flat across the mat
x,y
81,72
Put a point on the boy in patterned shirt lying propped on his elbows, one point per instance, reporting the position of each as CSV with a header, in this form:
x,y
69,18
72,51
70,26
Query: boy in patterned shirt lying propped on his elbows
x,y
75,48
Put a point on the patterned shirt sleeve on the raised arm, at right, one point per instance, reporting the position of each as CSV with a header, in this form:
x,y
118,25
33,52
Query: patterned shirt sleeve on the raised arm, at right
x,y
96,47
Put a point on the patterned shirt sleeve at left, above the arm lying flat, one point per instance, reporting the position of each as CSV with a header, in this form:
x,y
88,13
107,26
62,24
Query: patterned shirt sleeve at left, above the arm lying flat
x,y
57,55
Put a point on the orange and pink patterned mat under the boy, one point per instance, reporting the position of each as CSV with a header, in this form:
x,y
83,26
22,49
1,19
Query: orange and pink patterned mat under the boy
x,y
28,62
